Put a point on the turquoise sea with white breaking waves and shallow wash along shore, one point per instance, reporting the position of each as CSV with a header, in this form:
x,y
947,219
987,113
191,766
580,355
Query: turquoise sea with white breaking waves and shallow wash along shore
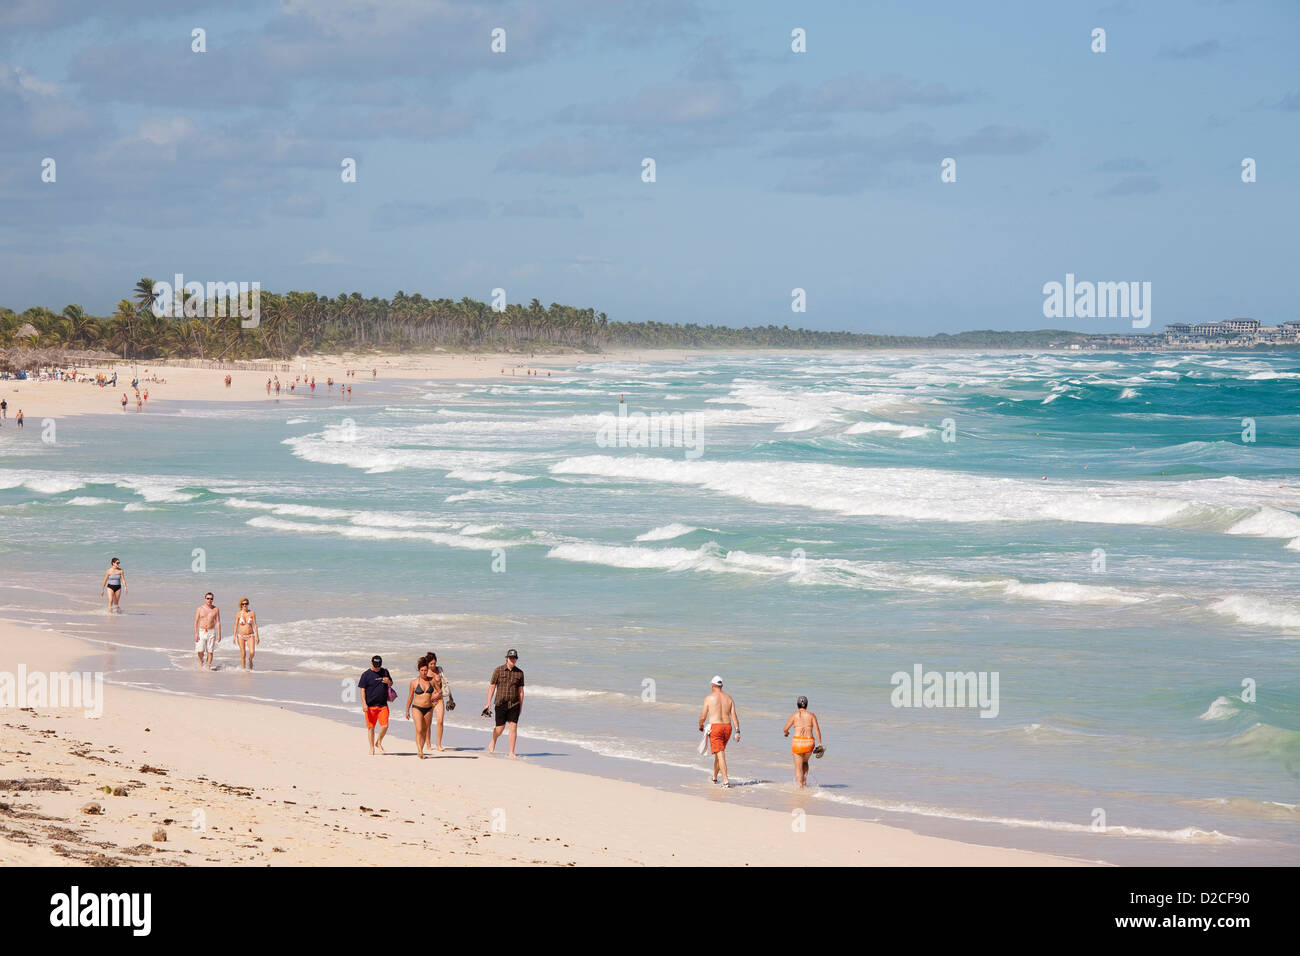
x,y
1094,530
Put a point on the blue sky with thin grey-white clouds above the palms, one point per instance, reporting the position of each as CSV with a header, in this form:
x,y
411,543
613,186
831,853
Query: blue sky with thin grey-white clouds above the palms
x,y
774,170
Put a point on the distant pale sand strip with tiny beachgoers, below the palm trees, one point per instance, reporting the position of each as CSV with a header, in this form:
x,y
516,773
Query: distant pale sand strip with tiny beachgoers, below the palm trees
x,y
40,400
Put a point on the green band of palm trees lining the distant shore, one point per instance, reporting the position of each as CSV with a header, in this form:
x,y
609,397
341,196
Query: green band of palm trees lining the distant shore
x,y
306,323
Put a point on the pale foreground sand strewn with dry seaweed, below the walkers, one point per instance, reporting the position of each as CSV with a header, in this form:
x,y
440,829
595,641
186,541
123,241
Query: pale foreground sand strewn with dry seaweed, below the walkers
x,y
252,785
